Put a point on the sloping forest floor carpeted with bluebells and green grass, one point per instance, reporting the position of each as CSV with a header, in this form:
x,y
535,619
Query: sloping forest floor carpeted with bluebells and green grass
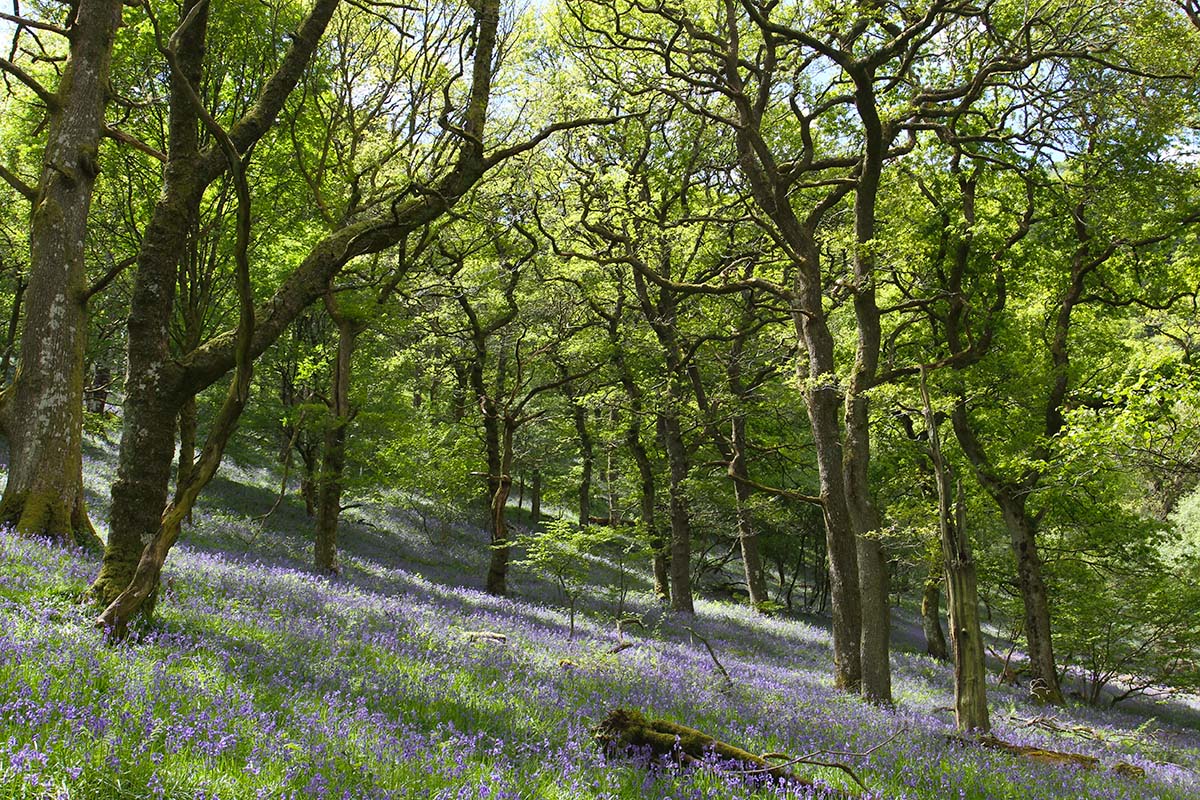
x,y
261,679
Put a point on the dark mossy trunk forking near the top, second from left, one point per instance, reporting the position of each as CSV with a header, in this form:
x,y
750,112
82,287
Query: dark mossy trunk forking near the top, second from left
x,y
154,386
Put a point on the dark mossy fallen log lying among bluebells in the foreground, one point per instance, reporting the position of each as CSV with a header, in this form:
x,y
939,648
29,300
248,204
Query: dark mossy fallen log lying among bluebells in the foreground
x,y
627,732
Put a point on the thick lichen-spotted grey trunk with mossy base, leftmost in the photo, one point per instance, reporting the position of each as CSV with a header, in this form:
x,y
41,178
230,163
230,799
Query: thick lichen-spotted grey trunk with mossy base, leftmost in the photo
x,y
43,412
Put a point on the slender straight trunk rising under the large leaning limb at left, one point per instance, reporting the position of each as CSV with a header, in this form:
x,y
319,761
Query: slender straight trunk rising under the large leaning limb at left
x,y
329,491
